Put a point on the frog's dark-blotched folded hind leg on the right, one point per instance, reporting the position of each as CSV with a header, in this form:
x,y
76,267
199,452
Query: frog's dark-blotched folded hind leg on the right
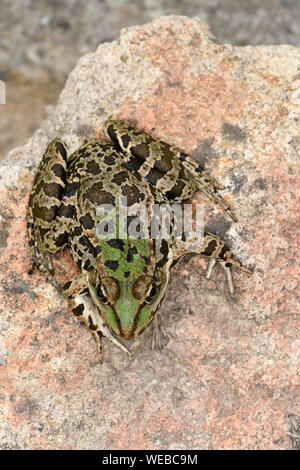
x,y
168,168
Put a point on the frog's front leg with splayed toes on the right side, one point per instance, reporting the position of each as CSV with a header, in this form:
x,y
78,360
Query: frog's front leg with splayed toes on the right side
x,y
216,249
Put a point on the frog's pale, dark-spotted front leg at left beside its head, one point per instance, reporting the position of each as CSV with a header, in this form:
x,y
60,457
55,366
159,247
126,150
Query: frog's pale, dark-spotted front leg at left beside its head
x,y
77,294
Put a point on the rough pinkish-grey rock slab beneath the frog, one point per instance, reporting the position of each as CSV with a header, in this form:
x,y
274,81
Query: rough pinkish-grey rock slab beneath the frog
x,y
227,379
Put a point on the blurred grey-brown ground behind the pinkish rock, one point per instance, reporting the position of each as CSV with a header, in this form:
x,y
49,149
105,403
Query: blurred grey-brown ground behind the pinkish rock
x,y
40,42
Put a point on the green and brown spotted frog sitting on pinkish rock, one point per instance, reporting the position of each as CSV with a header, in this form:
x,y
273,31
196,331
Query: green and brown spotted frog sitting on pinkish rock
x,y
122,282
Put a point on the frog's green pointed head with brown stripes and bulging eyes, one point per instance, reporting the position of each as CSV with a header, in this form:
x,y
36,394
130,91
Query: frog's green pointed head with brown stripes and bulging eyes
x,y
128,287
